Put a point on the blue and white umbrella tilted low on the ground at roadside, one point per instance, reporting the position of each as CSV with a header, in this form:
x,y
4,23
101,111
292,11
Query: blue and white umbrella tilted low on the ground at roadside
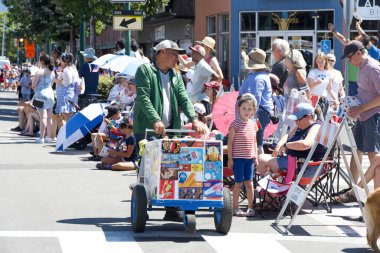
x,y
79,125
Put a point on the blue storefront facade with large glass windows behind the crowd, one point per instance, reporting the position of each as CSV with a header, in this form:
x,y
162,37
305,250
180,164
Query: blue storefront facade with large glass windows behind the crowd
x,y
303,23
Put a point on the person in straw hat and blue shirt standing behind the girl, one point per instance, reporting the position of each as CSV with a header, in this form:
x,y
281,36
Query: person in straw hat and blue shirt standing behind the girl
x,y
259,85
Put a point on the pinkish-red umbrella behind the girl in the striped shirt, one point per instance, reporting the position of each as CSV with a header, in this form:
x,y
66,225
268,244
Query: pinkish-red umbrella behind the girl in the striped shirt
x,y
223,112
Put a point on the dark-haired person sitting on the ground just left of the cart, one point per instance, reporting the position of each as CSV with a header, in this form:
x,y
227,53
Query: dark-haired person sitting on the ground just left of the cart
x,y
127,157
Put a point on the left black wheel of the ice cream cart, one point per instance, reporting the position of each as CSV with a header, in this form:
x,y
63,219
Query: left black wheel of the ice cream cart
x,y
138,209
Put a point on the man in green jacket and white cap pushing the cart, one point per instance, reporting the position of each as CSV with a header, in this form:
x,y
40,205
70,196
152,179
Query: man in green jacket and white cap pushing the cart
x,y
161,95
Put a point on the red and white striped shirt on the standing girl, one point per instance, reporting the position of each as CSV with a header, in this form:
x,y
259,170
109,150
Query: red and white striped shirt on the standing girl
x,y
244,144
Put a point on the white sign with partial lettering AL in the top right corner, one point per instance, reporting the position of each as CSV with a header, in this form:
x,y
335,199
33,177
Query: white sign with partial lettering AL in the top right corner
x,y
367,9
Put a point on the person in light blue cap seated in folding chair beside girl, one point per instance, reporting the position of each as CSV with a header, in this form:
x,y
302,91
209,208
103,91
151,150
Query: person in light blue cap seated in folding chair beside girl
x,y
297,143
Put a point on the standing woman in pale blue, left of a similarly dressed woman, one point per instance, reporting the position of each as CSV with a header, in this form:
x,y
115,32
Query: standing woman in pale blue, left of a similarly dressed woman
x,y
43,92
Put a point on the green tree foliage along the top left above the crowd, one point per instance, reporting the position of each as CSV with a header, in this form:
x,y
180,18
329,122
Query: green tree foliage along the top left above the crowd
x,y
33,18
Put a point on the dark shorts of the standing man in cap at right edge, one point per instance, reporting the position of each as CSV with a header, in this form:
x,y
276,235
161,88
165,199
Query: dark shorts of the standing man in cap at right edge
x,y
367,134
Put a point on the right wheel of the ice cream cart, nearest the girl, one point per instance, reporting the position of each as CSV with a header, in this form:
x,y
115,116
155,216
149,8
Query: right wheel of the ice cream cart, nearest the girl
x,y
223,216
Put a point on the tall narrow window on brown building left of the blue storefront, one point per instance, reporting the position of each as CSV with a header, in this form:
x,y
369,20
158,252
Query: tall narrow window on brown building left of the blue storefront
x,y
224,44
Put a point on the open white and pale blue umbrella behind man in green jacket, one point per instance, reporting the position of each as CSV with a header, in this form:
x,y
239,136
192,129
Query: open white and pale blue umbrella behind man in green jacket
x,y
124,64
